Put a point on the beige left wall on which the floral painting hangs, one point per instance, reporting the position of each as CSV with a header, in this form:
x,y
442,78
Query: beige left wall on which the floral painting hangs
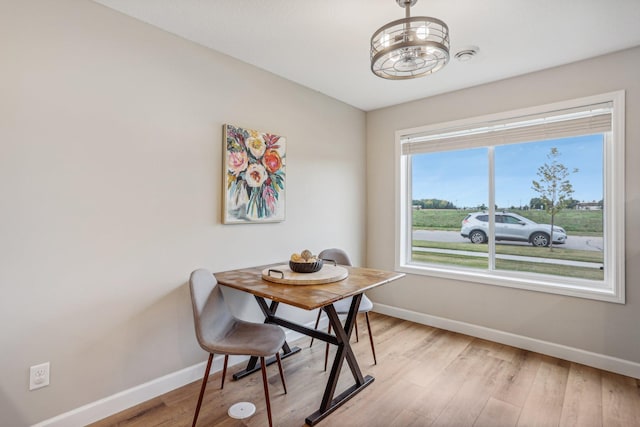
x,y
110,195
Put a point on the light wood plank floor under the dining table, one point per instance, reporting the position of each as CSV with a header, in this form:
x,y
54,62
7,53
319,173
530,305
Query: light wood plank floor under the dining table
x,y
424,377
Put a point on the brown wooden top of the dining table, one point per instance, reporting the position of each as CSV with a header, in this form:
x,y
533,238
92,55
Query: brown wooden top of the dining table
x,y
307,297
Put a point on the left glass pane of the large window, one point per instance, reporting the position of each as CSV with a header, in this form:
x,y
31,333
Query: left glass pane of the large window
x,y
446,187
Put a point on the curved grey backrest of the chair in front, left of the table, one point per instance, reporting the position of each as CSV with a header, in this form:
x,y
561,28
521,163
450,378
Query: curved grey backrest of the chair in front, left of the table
x,y
211,317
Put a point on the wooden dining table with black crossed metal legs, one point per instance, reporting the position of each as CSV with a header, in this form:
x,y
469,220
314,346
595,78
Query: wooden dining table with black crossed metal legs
x,y
268,282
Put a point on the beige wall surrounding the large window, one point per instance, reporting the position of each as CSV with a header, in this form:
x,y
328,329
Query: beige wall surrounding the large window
x,y
605,328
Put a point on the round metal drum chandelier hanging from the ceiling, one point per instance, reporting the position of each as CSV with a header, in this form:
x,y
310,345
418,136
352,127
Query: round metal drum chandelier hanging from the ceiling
x,y
410,47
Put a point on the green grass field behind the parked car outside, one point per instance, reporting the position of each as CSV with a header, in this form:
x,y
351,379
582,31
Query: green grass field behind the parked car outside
x,y
582,222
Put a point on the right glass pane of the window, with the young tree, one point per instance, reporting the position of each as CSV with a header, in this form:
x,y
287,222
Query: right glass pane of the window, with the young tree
x,y
557,182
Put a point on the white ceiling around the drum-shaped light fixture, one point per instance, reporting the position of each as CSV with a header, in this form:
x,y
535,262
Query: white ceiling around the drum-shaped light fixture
x,y
324,44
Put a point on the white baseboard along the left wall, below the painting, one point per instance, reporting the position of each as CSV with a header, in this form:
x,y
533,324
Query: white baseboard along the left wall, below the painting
x,y
115,403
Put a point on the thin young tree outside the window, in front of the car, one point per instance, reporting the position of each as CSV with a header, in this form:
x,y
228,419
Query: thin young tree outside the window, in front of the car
x,y
553,186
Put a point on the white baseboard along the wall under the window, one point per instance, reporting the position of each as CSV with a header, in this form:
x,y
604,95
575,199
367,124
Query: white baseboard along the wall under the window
x,y
596,360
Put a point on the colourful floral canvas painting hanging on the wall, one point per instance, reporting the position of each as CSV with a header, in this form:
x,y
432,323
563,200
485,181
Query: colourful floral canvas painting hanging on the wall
x,y
254,176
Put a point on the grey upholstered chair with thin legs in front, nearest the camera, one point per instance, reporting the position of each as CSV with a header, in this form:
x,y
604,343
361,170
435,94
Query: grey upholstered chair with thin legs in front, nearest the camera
x,y
218,331
